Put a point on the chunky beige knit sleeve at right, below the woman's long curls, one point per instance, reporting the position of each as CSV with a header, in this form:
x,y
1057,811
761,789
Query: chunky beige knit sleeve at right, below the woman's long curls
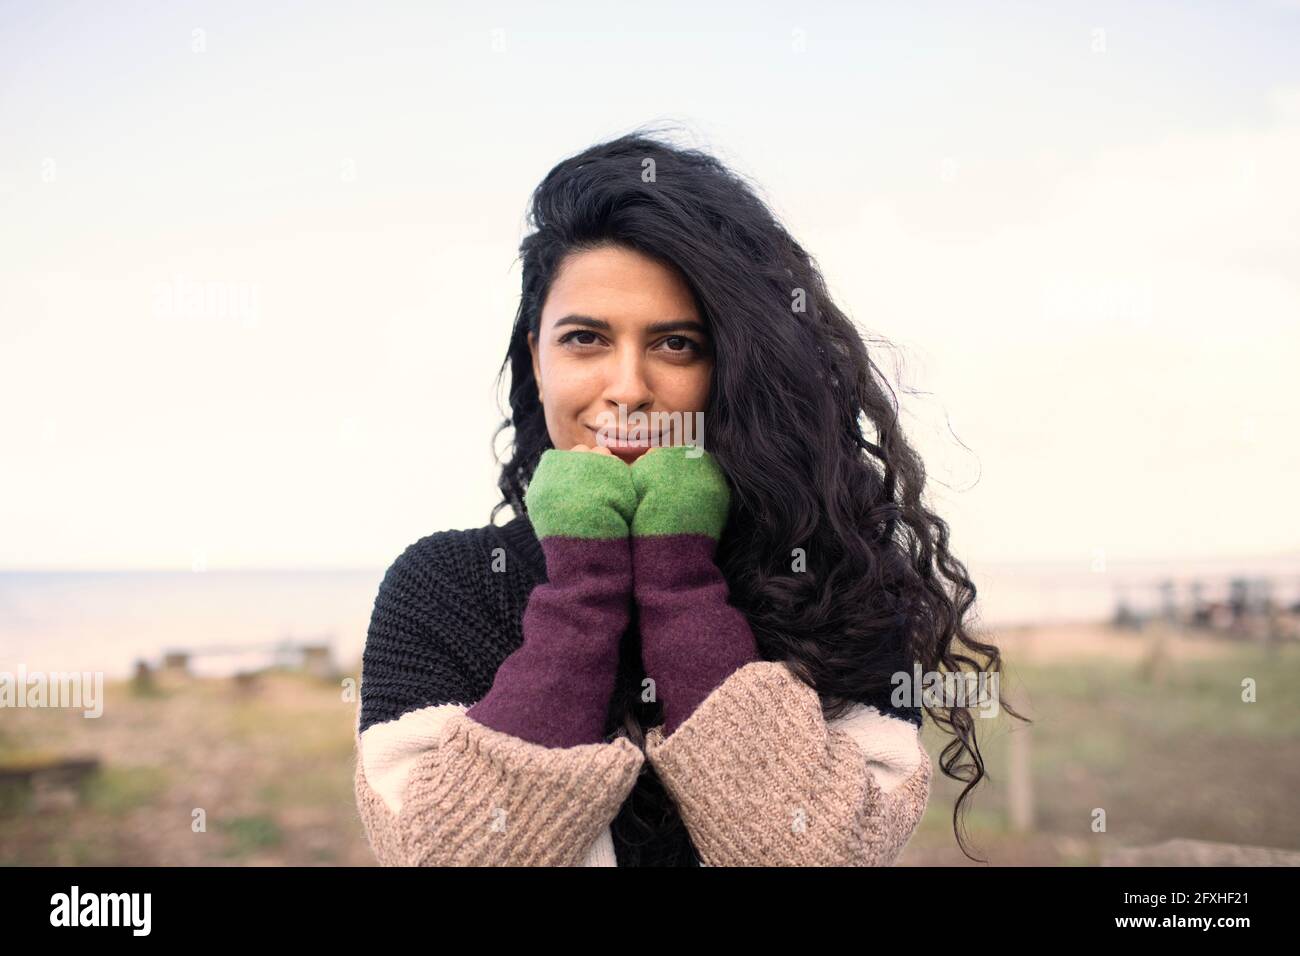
x,y
762,780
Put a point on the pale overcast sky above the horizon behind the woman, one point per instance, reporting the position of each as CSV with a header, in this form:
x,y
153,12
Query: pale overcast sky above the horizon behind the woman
x,y
1080,226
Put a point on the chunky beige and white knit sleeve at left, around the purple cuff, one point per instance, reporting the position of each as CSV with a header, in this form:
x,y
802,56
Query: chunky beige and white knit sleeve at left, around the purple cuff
x,y
437,789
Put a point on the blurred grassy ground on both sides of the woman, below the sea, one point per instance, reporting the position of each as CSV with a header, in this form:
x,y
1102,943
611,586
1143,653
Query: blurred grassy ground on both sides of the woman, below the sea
x,y
1169,752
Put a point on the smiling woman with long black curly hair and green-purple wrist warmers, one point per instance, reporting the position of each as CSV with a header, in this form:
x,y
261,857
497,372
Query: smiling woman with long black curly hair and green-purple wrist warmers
x,y
684,650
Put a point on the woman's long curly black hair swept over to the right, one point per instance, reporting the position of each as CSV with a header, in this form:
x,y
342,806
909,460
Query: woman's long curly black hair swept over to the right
x,y
807,429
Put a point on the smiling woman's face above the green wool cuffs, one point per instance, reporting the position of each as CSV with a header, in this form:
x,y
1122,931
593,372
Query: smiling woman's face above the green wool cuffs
x,y
619,330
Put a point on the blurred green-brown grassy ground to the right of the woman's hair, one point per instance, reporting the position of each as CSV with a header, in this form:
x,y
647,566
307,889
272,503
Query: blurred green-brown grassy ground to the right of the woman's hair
x,y
1167,752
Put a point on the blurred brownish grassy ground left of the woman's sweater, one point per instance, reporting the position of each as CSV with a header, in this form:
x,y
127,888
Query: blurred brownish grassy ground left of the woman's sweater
x,y
270,772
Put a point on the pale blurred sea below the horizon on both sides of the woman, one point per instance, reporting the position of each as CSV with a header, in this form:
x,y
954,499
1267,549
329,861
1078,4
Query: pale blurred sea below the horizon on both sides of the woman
x,y
232,621
